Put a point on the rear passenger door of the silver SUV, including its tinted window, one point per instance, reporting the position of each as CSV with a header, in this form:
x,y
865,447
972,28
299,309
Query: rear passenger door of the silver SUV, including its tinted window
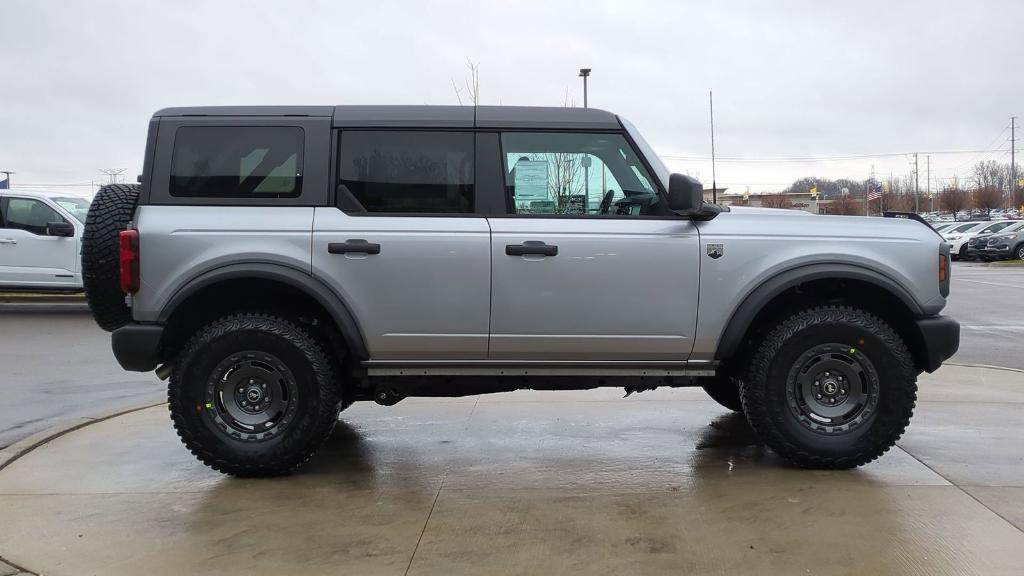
x,y
405,246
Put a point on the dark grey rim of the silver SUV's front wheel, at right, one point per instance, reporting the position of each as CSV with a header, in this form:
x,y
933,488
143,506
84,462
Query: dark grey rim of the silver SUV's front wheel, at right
x,y
833,389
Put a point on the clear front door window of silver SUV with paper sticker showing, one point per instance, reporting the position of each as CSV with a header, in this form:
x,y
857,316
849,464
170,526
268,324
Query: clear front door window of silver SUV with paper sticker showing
x,y
575,174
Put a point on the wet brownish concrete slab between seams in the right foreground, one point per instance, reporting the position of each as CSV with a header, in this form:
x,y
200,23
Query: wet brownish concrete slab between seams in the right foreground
x,y
717,530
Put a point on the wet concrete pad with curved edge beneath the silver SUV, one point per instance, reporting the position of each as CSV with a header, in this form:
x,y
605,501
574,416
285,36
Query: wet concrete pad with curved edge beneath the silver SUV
x,y
536,483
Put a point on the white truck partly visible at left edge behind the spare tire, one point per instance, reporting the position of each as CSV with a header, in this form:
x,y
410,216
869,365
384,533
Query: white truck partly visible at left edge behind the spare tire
x,y
41,240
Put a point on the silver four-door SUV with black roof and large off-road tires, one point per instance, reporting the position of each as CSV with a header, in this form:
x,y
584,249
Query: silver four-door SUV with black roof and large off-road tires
x,y
281,264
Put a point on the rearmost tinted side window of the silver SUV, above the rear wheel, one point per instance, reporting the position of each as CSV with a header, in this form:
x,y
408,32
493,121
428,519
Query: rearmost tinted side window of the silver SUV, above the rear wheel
x,y
237,162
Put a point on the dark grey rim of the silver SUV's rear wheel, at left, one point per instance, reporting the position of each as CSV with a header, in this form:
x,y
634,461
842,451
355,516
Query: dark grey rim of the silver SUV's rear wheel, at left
x,y
252,396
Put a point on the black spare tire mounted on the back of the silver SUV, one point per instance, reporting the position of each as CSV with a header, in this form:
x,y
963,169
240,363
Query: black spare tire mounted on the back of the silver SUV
x,y
110,214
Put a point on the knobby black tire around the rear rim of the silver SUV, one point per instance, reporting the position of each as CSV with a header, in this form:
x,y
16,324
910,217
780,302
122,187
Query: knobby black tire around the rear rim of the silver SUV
x,y
318,397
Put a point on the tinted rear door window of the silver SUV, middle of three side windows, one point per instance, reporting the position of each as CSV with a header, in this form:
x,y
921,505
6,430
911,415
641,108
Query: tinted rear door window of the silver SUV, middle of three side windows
x,y
408,172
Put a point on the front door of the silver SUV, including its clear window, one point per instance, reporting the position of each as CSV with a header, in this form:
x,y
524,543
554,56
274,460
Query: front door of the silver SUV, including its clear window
x,y
589,266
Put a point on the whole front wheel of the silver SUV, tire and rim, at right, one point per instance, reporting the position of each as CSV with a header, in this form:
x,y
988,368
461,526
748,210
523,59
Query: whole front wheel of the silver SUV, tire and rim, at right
x,y
831,388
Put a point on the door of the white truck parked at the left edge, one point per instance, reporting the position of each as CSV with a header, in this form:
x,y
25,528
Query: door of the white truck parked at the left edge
x,y
28,257
